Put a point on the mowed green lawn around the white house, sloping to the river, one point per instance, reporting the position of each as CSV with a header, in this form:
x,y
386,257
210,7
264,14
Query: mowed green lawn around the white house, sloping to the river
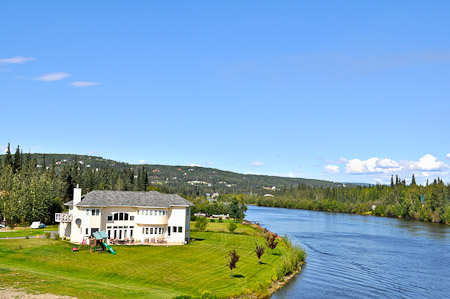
x,y
49,266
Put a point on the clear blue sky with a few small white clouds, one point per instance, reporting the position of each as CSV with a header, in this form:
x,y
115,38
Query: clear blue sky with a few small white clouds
x,y
336,90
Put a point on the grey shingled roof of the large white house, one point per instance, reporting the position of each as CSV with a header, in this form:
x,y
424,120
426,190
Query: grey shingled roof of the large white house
x,y
154,199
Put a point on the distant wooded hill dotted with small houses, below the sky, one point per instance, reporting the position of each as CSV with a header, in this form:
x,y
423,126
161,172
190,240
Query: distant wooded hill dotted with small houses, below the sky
x,y
206,179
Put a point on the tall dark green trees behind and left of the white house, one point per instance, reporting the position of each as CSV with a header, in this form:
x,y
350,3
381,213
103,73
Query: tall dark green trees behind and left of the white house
x,y
35,192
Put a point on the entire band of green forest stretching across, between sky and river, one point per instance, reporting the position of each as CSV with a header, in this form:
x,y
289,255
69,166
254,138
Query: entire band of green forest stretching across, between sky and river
x,y
34,186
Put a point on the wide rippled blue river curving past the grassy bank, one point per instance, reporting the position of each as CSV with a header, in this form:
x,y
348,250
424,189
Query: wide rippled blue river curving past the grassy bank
x,y
354,256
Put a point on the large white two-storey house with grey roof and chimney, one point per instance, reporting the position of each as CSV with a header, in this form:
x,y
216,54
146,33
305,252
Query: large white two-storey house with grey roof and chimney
x,y
127,215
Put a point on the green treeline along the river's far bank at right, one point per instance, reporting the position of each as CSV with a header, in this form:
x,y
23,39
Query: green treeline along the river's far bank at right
x,y
426,203
